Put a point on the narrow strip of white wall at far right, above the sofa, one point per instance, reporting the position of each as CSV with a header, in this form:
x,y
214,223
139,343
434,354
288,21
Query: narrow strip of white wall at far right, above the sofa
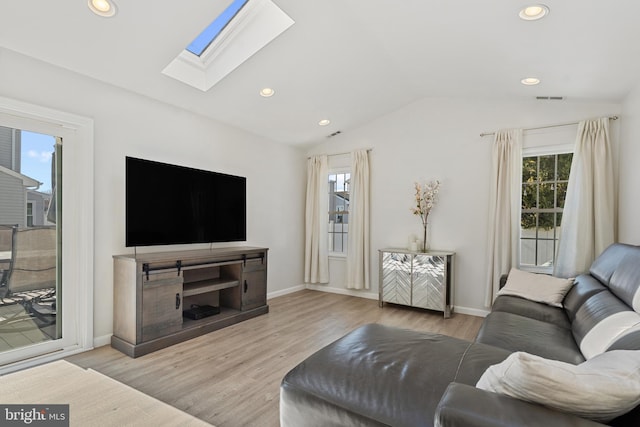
x,y
629,171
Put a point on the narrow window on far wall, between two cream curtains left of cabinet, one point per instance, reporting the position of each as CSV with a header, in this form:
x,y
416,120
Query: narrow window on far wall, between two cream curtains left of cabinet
x,y
339,183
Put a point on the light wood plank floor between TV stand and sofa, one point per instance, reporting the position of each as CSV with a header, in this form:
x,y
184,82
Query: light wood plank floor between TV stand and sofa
x,y
231,377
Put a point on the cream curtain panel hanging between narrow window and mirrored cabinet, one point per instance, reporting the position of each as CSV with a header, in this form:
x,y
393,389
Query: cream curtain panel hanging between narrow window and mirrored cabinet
x,y
358,237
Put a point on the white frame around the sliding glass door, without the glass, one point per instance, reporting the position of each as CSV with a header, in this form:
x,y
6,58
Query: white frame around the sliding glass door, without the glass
x,y
77,229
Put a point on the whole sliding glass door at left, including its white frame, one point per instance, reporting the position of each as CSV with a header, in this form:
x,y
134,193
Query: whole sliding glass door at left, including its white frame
x,y
46,234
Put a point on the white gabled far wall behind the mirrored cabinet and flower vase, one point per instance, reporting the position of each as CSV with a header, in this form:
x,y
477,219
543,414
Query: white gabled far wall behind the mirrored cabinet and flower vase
x,y
439,139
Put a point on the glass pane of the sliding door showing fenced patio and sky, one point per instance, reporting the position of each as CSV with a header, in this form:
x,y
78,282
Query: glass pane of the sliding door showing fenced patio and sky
x,y
30,243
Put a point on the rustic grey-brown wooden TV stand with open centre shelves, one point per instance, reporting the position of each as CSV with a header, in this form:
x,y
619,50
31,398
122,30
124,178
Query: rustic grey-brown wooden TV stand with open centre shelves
x,y
151,291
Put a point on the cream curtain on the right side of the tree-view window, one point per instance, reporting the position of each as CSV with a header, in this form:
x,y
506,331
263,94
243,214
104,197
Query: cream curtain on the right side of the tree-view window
x,y
589,218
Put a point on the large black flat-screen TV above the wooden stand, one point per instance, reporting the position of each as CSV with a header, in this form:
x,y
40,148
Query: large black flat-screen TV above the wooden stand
x,y
168,204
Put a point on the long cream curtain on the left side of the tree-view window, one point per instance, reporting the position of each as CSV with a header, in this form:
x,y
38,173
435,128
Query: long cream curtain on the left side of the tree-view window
x,y
504,208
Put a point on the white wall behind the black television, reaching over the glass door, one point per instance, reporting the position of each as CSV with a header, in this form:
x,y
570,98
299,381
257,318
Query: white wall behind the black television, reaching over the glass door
x,y
129,124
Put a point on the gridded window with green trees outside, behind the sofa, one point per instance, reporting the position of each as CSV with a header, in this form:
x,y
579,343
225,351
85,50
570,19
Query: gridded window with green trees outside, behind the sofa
x,y
544,188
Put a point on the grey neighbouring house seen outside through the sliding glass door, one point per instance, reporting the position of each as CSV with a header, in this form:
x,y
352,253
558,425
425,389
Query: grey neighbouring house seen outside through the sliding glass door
x,y
20,202
